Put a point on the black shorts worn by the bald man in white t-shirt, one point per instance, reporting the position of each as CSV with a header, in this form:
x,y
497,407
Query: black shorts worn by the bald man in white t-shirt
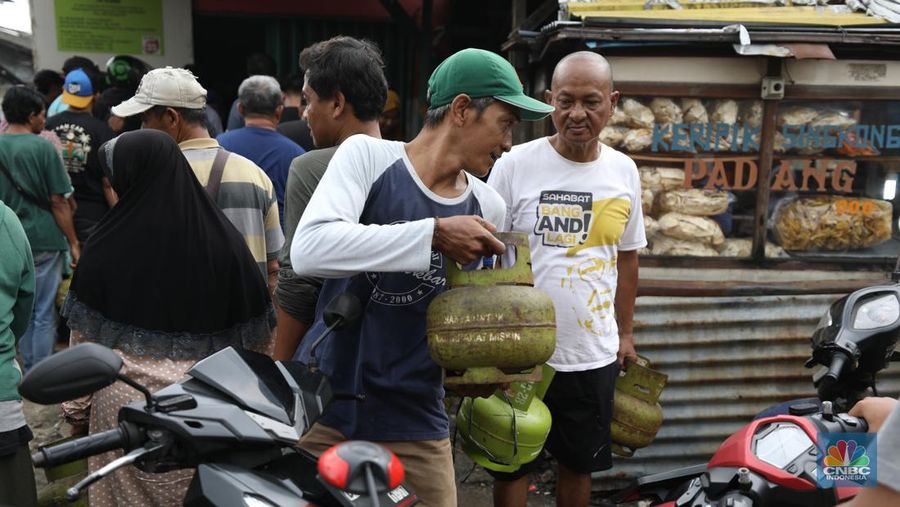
x,y
581,404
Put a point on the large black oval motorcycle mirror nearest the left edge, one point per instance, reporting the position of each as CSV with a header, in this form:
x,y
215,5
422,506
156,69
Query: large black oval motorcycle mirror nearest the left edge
x,y
74,372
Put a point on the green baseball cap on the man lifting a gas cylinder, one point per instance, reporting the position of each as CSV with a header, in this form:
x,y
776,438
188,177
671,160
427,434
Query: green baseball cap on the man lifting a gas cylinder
x,y
479,73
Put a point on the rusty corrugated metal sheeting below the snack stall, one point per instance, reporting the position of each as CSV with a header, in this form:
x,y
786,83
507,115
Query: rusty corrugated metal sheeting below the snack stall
x,y
727,359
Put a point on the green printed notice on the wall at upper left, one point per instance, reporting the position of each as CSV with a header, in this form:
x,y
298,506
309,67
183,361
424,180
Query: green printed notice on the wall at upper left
x,y
132,27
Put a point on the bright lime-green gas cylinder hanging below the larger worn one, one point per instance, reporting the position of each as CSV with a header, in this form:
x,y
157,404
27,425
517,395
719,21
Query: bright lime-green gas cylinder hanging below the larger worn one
x,y
505,431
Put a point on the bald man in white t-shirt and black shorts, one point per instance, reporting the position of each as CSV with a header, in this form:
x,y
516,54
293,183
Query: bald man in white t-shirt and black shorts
x,y
580,203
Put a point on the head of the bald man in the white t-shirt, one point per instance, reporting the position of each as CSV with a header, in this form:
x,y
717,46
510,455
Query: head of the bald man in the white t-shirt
x,y
584,100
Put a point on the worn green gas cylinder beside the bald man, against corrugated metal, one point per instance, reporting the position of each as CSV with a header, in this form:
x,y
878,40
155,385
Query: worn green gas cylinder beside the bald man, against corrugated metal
x,y
637,415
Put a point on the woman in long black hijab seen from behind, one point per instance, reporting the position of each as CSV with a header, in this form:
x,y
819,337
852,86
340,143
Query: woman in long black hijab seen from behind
x,y
165,280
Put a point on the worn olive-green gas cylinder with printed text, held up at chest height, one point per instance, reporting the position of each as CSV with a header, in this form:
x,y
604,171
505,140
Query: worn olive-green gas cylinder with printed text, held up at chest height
x,y
492,326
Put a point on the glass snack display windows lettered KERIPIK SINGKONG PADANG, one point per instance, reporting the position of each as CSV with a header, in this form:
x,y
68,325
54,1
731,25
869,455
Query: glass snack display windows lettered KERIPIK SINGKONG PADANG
x,y
831,175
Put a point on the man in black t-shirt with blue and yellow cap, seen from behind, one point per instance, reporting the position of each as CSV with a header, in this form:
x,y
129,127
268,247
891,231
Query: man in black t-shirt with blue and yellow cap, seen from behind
x,y
82,135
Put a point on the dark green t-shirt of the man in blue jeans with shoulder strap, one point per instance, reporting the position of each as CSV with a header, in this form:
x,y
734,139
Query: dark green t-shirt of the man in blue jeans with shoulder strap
x,y
35,166
